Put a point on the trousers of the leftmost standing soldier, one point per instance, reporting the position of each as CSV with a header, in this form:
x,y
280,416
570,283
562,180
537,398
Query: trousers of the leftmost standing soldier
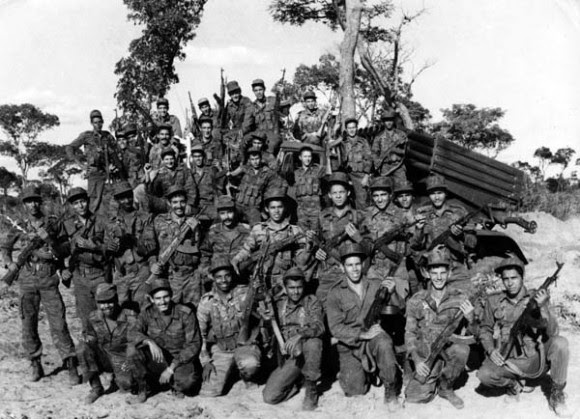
x,y
55,311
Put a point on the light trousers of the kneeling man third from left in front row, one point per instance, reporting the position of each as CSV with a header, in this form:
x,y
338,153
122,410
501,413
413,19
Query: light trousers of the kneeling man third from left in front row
x,y
245,358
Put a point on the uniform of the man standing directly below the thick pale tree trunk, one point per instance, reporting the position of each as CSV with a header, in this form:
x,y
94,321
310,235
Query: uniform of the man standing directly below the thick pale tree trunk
x,y
358,164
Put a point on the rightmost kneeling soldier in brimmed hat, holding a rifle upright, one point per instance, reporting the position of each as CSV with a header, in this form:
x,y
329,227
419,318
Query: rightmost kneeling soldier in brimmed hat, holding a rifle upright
x,y
542,347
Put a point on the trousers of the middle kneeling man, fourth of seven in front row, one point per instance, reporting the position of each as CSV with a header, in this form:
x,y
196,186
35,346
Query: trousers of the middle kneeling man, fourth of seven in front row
x,y
284,378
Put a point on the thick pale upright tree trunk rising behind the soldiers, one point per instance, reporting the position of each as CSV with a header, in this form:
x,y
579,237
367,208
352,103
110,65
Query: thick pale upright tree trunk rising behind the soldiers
x,y
353,12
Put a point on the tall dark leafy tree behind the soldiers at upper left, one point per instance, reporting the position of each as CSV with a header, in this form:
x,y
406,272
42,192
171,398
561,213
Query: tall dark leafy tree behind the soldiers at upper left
x,y
149,70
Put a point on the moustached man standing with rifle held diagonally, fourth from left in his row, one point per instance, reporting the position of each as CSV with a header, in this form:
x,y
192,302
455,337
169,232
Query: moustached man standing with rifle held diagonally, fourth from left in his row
x,y
186,286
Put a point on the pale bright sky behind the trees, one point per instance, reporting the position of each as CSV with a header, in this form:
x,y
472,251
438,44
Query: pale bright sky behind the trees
x,y
520,55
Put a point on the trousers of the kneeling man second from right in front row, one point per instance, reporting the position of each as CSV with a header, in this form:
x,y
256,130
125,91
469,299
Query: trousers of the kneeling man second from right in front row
x,y
447,367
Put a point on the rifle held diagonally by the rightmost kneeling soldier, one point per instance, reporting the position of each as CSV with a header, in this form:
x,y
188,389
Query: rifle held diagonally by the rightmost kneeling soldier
x,y
530,318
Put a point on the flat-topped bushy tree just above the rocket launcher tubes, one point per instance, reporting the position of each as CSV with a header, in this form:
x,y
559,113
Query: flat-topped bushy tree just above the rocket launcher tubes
x,y
473,128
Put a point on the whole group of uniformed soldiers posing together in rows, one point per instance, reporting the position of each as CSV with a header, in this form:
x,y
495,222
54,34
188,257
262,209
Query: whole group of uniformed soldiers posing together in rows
x,y
182,283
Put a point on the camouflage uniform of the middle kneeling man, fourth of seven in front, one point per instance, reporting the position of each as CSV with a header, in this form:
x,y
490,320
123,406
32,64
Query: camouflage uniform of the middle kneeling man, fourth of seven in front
x,y
304,318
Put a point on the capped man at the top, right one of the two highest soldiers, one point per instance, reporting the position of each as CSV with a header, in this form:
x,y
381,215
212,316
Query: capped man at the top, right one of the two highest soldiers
x,y
263,116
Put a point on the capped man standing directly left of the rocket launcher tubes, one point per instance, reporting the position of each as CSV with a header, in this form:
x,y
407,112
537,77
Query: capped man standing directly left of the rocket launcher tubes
x,y
390,142
